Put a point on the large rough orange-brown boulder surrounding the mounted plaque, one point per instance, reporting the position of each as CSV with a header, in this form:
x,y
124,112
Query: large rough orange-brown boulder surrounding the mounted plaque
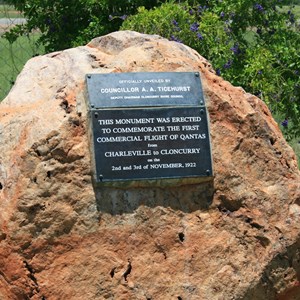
x,y
59,241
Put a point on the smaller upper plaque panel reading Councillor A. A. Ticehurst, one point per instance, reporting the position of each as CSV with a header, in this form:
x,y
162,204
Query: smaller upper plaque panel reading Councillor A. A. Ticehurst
x,y
144,89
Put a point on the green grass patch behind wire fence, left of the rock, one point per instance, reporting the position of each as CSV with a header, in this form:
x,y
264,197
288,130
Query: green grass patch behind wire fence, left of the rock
x,y
12,59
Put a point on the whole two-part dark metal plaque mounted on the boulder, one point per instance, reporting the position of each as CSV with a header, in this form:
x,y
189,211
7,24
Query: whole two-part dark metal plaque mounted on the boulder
x,y
150,138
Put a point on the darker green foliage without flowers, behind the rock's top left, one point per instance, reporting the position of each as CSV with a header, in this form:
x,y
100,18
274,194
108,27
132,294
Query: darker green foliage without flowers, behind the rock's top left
x,y
68,23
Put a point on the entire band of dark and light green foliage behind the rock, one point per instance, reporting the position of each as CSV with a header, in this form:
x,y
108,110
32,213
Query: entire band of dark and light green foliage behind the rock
x,y
251,43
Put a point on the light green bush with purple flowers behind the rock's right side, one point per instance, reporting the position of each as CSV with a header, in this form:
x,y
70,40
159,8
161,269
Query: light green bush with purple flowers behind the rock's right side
x,y
253,45
